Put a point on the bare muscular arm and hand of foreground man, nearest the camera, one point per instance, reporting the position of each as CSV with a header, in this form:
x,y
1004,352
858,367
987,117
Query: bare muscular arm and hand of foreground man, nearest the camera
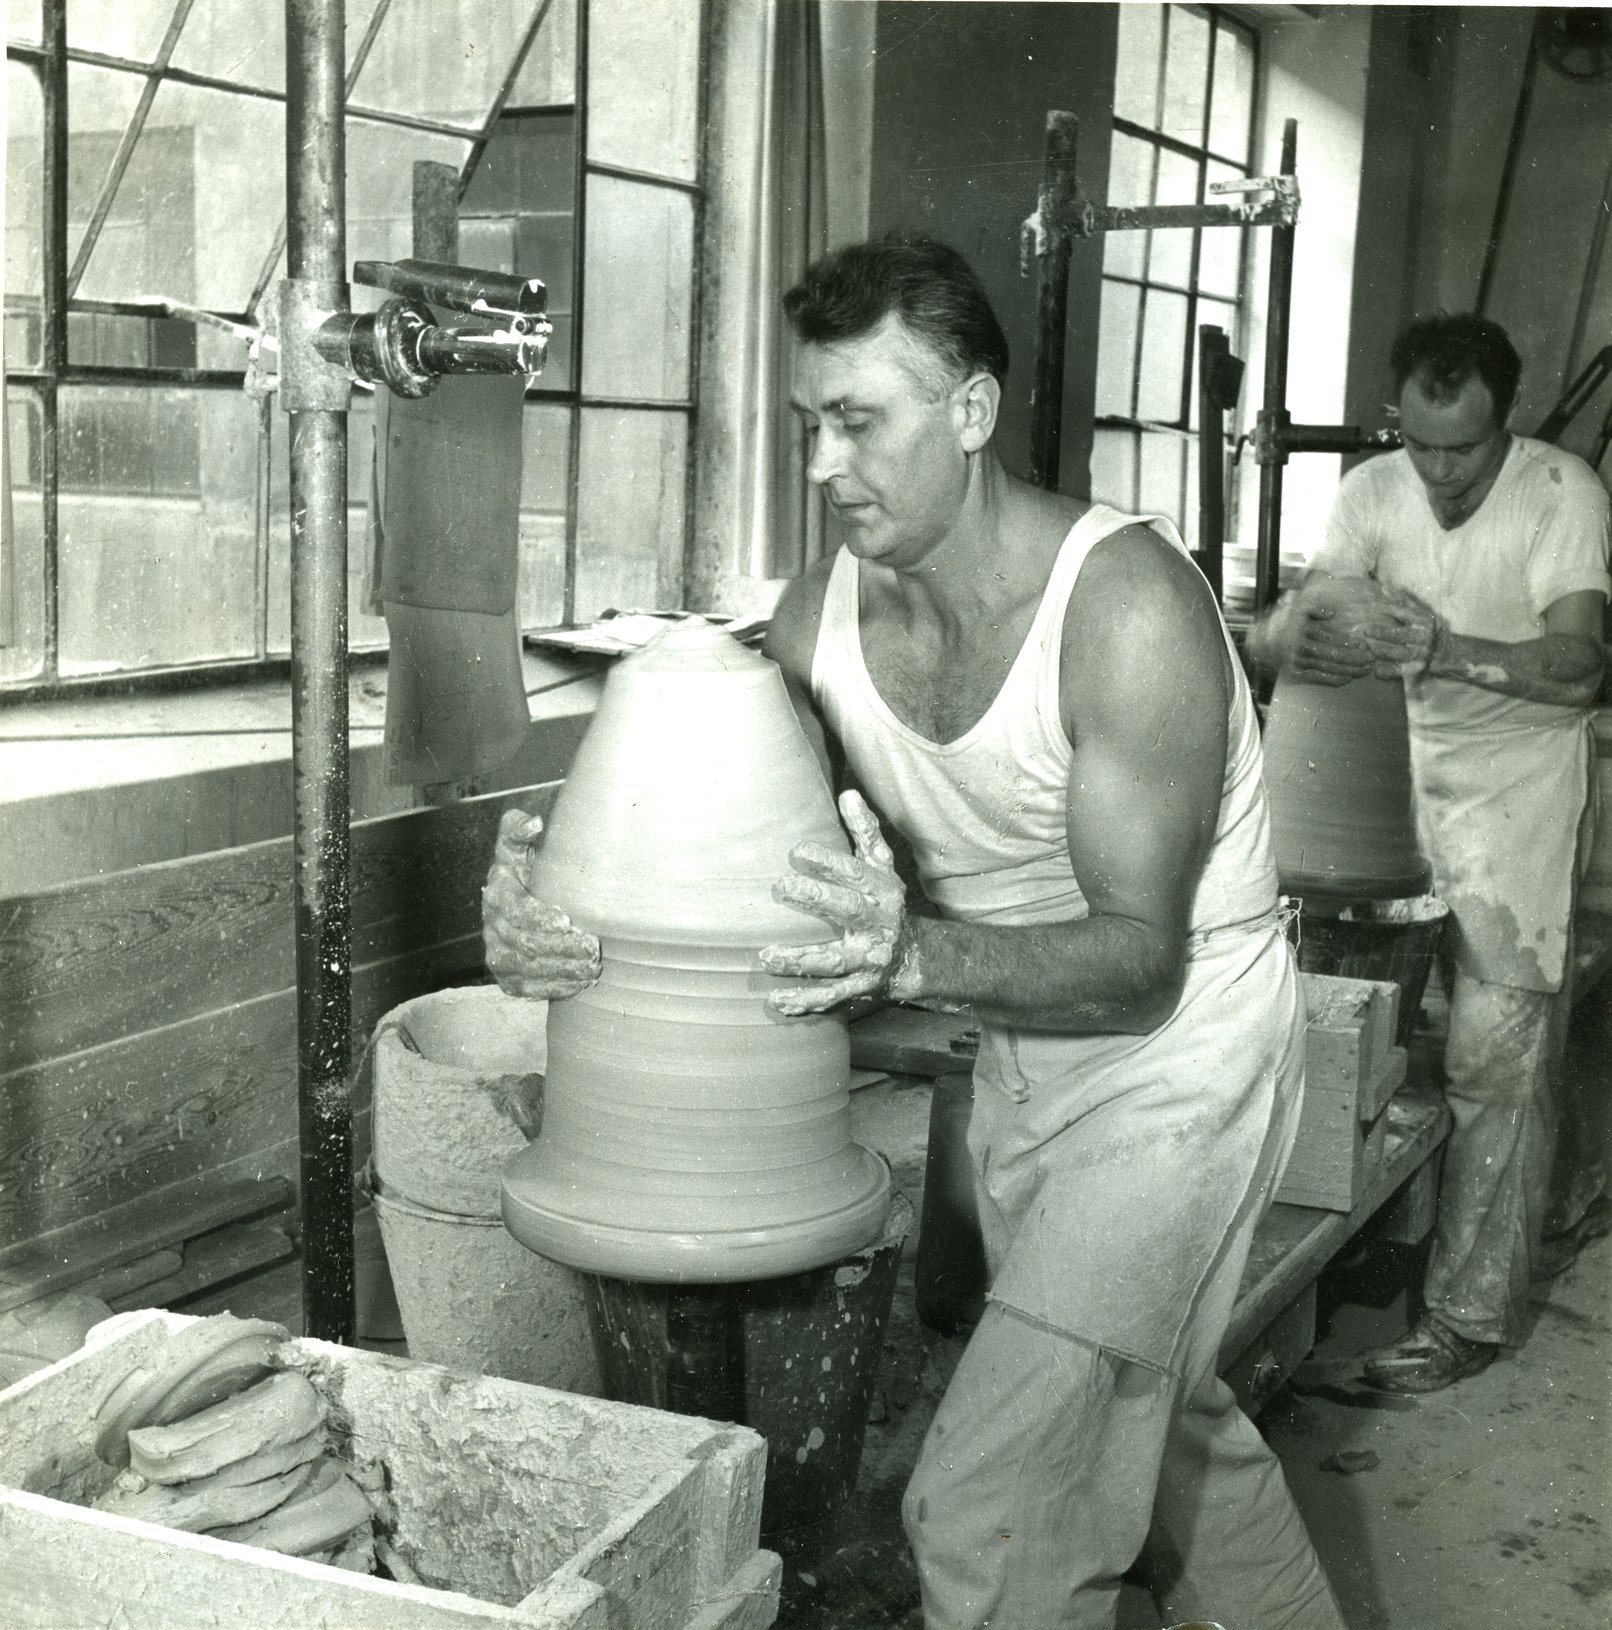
x,y
1147,679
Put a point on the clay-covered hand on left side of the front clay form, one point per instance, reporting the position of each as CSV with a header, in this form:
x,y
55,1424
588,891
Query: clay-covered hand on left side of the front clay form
x,y
532,948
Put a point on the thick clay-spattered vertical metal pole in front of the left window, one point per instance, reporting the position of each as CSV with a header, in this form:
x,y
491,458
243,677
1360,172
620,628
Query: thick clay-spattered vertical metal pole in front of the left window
x,y
317,402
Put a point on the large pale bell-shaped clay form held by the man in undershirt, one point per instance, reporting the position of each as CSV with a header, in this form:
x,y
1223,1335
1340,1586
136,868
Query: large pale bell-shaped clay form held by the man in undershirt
x,y
689,1132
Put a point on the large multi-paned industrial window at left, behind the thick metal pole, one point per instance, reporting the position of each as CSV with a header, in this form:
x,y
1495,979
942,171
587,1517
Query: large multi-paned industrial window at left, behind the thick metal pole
x,y
149,522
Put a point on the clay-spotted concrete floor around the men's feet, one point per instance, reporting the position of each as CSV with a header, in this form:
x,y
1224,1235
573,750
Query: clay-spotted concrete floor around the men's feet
x,y
1486,1507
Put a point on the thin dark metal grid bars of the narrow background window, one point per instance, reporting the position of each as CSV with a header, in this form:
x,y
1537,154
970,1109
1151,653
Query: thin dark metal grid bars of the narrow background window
x,y
1202,156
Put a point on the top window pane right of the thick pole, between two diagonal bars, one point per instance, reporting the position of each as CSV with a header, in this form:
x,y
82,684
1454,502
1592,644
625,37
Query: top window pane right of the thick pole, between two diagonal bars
x,y
444,59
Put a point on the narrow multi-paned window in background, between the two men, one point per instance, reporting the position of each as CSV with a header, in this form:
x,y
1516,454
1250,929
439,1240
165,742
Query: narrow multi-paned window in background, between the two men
x,y
1183,120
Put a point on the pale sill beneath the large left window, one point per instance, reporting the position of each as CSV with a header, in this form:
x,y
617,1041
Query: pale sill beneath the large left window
x,y
104,785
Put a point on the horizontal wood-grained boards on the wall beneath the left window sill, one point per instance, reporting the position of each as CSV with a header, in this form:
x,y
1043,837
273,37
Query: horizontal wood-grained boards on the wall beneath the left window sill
x,y
149,1020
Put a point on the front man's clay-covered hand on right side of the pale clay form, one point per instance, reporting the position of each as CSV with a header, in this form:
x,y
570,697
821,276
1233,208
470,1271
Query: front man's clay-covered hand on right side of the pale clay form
x,y
857,894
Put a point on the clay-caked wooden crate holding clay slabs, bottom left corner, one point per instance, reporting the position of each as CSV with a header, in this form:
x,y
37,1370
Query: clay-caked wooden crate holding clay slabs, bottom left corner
x,y
514,1505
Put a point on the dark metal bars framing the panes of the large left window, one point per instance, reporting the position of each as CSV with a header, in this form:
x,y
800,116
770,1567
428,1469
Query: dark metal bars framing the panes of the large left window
x,y
42,384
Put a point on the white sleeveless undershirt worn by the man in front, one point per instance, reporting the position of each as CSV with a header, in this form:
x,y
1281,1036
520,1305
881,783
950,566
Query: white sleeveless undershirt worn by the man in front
x,y
987,814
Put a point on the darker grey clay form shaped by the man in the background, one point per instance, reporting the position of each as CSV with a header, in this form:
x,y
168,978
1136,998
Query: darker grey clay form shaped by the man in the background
x,y
1337,772
